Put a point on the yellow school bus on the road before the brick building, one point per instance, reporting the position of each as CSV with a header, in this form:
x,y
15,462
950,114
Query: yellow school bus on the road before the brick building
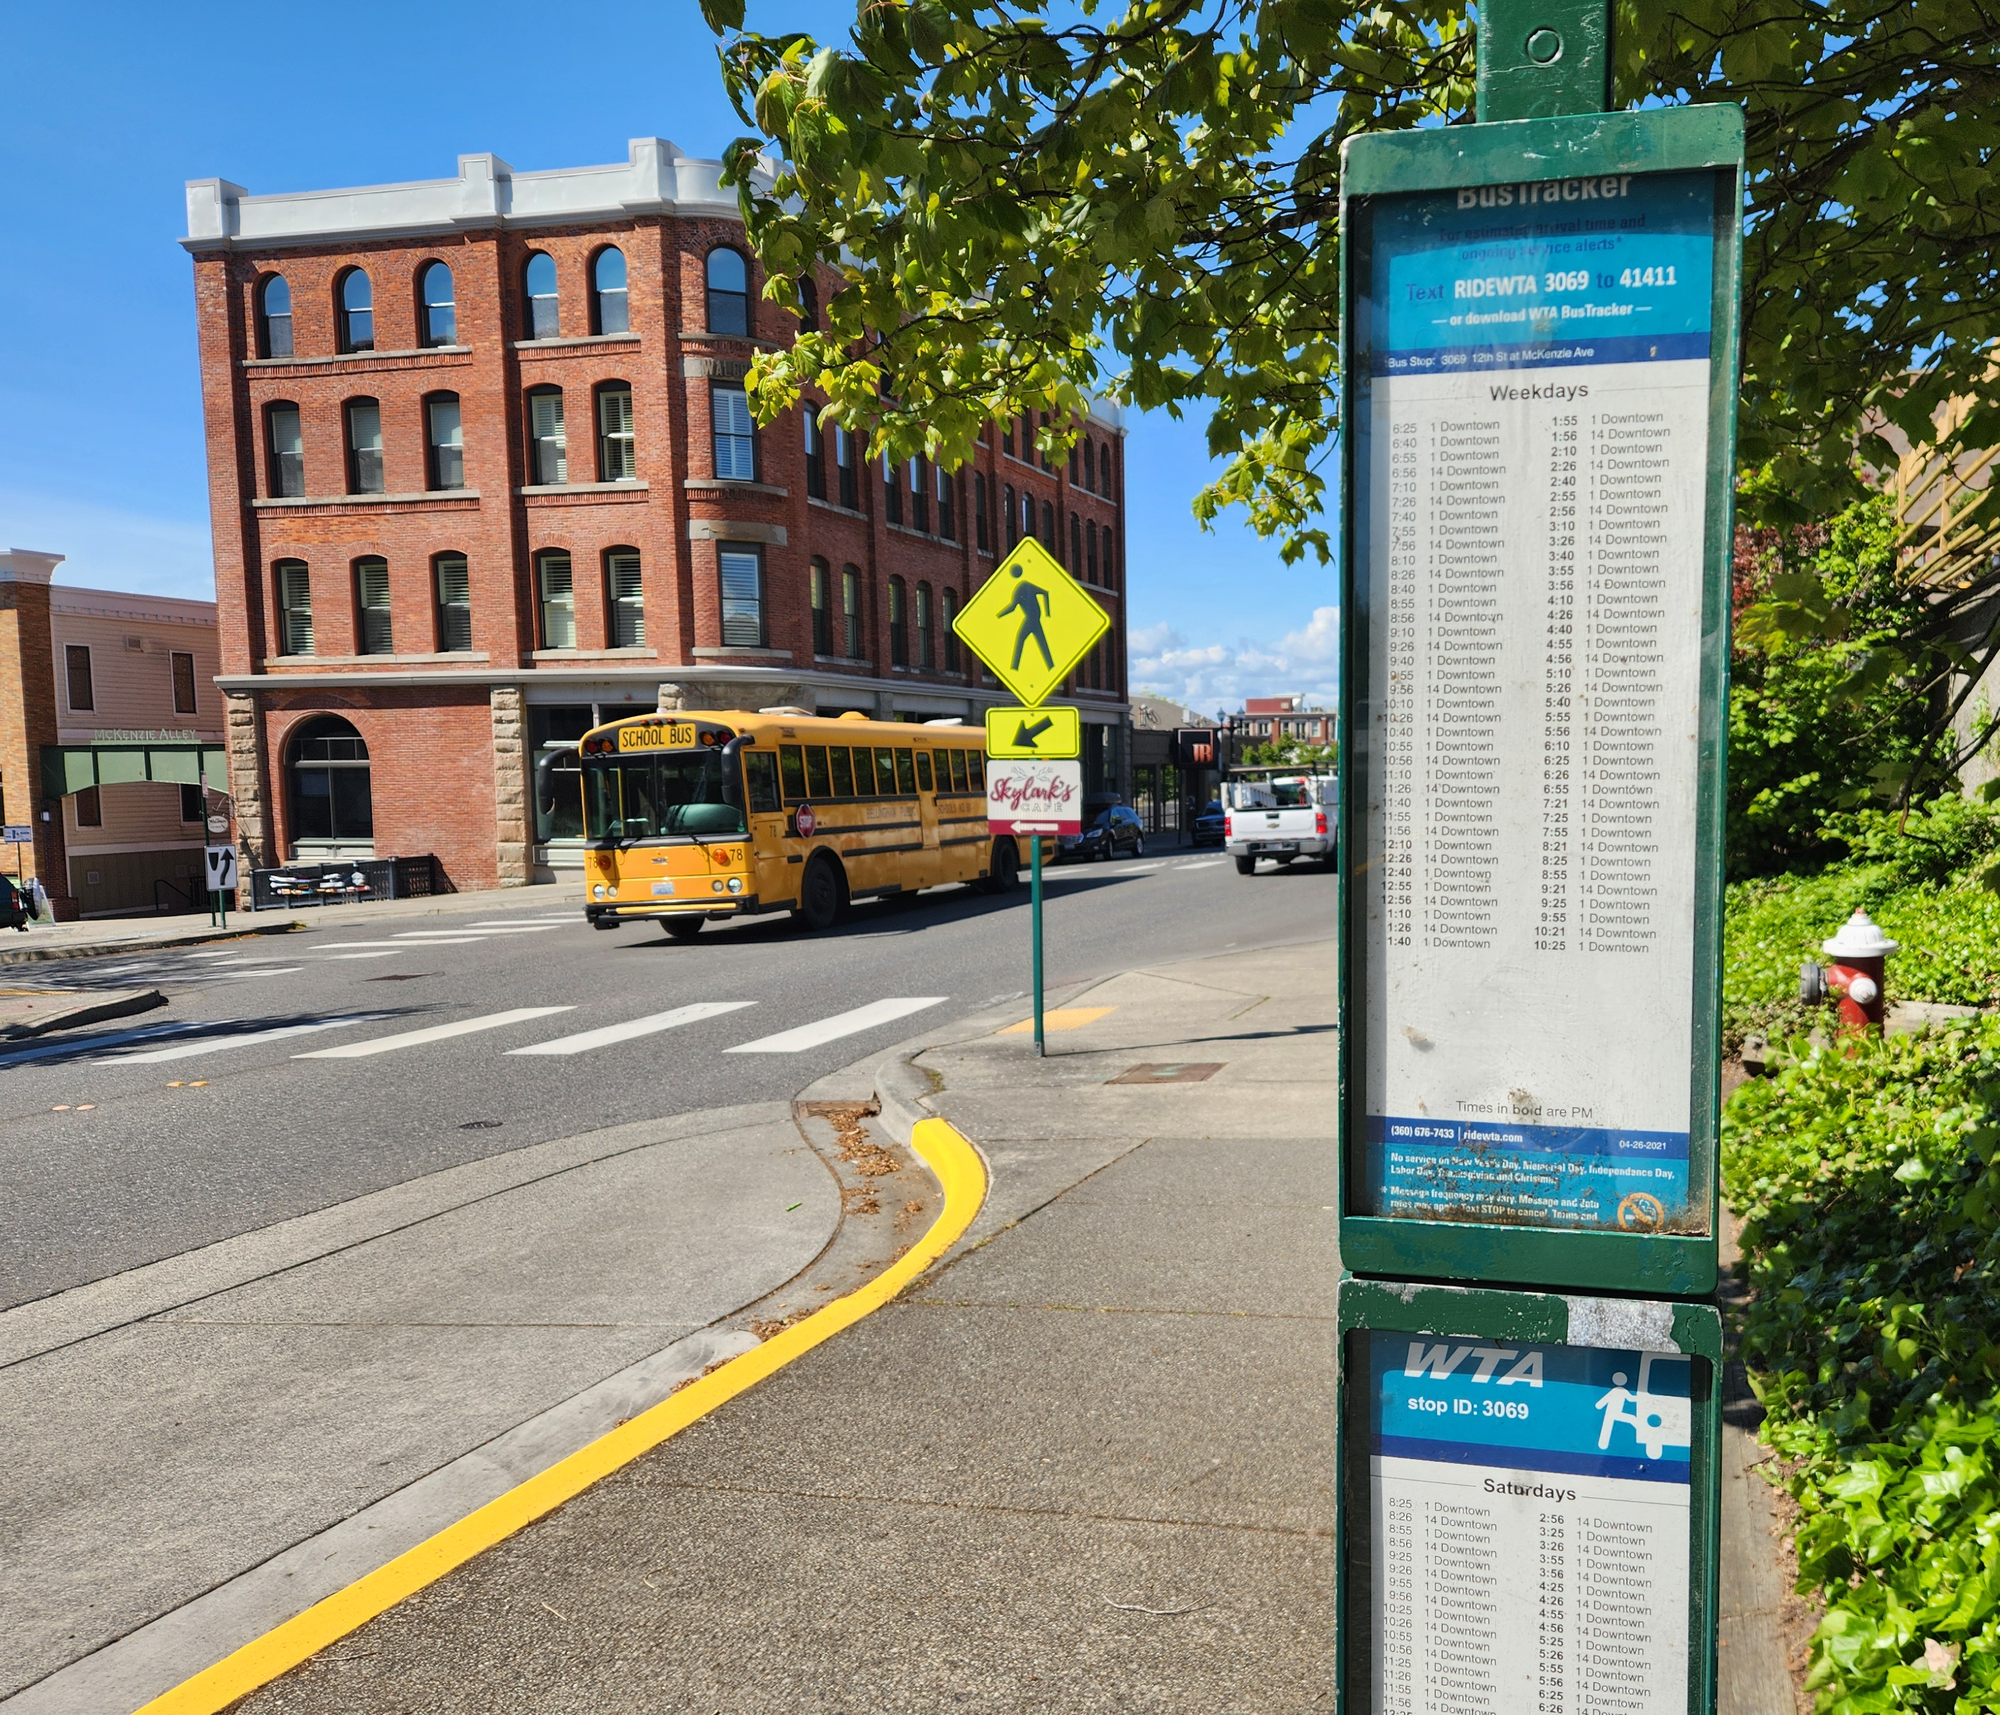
x,y
695,817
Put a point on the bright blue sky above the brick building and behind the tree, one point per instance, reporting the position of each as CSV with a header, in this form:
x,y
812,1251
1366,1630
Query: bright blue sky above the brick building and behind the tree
x,y
111,109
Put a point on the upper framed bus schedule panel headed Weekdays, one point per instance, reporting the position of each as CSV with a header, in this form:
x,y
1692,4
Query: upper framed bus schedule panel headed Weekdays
x,y
1537,593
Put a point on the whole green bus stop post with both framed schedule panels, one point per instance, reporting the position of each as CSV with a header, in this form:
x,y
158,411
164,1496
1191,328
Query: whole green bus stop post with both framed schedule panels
x,y
1539,351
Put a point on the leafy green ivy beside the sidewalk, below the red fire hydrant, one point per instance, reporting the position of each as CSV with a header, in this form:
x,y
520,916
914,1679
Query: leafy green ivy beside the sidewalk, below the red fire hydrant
x,y
1869,1184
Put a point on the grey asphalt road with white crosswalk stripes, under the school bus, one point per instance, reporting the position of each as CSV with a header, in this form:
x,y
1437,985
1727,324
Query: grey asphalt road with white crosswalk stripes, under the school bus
x,y
203,1122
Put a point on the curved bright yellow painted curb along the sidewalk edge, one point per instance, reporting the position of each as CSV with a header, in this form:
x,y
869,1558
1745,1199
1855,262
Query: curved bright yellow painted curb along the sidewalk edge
x,y
283,1648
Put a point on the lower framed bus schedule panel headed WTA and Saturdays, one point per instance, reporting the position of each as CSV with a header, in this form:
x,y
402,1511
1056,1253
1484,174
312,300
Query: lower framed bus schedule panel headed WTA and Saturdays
x,y
1531,1522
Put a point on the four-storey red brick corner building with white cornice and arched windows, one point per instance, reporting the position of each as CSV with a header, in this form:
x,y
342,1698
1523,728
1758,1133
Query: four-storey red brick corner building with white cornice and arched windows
x,y
483,475
